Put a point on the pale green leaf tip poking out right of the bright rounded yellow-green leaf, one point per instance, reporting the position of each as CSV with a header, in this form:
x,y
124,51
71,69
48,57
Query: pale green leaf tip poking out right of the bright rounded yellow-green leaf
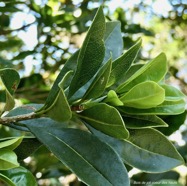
x,y
172,93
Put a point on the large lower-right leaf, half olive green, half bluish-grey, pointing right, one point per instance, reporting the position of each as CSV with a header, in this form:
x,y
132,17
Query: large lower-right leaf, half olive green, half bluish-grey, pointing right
x,y
146,149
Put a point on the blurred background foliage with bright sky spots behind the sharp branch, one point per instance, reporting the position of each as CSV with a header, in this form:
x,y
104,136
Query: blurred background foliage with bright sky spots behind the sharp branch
x,y
38,36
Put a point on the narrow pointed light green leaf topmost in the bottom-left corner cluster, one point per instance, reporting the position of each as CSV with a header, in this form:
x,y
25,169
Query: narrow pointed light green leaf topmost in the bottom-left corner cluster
x,y
10,144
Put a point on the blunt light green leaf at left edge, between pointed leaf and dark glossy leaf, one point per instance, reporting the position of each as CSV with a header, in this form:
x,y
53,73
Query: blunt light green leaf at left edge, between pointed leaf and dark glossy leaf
x,y
8,159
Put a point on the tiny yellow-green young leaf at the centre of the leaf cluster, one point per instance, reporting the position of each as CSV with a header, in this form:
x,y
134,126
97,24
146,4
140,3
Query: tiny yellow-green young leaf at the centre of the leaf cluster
x,y
112,99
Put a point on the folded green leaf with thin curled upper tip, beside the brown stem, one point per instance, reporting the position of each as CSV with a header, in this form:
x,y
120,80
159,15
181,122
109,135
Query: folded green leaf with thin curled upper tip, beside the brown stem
x,y
60,110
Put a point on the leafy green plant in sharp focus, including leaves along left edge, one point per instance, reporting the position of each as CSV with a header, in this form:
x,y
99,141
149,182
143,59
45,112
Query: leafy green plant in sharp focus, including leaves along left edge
x,y
100,114
